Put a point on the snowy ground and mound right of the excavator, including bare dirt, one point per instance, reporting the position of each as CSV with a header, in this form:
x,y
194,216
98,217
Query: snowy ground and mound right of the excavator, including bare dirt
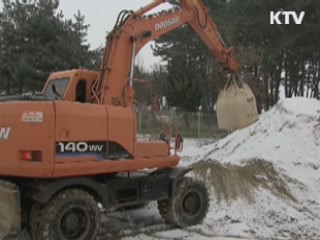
x,y
265,180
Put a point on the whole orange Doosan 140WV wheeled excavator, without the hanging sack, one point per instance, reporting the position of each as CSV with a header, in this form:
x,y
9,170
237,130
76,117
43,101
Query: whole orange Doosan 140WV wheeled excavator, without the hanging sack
x,y
75,145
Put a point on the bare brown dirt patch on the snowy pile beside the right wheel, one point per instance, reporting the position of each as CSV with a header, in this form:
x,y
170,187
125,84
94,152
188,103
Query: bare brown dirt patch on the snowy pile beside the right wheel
x,y
232,182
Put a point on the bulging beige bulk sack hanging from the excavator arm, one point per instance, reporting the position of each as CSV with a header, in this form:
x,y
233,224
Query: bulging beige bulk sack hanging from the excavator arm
x,y
236,106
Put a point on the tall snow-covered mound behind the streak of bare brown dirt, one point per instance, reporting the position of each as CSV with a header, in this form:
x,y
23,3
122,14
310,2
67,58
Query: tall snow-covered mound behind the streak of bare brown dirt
x,y
287,134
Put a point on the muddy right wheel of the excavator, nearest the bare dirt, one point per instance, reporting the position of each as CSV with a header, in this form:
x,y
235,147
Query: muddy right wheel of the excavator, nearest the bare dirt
x,y
188,206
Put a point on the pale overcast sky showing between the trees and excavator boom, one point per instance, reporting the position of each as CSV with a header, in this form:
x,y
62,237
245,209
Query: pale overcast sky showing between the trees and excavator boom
x,y
101,15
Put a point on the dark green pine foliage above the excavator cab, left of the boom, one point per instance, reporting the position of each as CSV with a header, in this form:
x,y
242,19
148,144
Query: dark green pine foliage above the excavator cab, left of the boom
x,y
36,40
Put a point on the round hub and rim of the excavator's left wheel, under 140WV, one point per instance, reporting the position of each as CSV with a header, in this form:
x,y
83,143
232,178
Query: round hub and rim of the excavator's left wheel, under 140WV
x,y
74,223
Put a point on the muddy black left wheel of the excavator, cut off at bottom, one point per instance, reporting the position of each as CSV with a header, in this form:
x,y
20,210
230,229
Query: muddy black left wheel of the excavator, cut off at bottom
x,y
70,215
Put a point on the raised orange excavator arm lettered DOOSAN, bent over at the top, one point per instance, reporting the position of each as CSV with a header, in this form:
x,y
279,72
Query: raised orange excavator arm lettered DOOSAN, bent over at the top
x,y
133,30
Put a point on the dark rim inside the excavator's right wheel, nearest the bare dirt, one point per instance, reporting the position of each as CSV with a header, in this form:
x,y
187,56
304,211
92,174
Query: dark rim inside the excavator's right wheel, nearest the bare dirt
x,y
191,203
